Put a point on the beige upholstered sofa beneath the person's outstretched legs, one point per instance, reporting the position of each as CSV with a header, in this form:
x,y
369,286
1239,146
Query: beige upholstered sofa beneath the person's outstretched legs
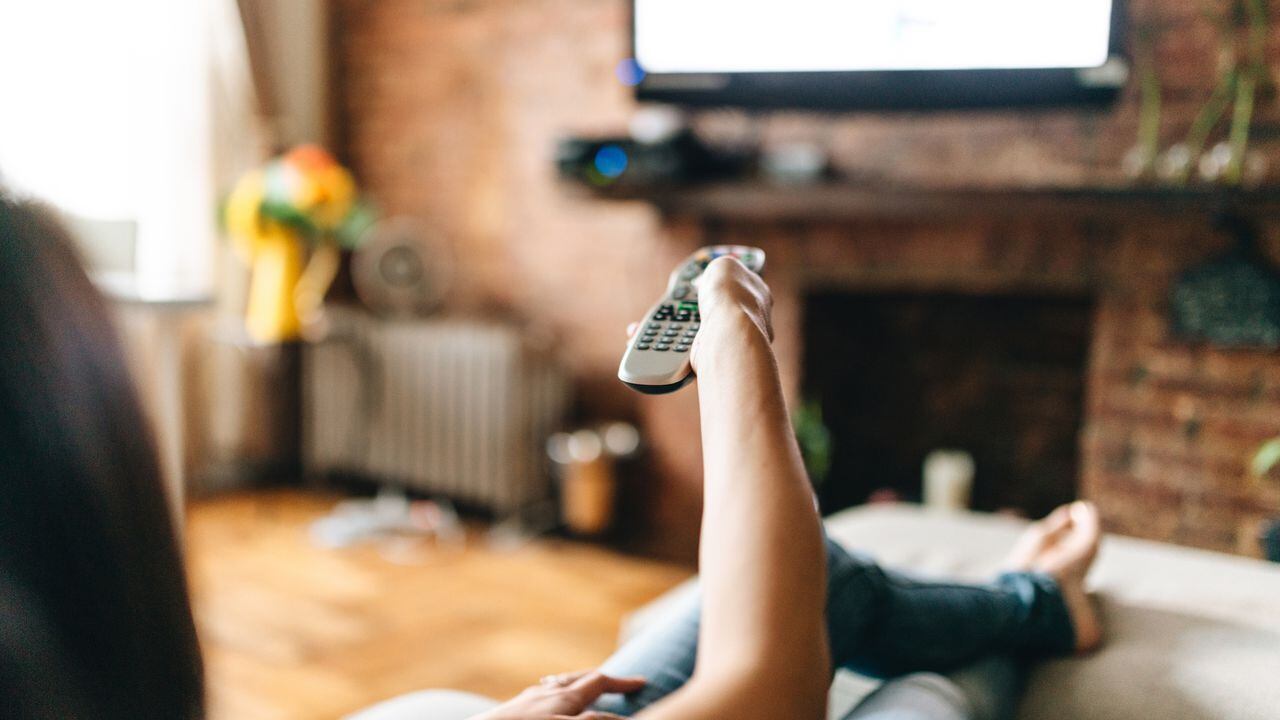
x,y
1192,635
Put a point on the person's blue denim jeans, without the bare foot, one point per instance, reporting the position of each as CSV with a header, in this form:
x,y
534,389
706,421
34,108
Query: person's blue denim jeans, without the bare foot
x,y
879,623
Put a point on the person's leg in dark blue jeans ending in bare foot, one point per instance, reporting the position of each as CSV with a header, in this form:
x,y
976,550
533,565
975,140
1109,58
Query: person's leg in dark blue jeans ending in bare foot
x,y
888,625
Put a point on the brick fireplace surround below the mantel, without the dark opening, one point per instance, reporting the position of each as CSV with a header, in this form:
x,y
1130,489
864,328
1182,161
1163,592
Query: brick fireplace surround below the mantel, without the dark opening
x,y
1169,427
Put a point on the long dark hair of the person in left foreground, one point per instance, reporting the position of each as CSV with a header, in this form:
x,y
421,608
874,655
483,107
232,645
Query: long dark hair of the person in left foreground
x,y
94,612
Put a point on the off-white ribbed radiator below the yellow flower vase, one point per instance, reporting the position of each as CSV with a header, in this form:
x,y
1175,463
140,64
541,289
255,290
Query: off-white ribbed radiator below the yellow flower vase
x,y
458,409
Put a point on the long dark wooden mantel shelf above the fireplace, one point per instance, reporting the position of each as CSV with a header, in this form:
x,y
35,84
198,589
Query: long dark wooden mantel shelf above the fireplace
x,y
847,200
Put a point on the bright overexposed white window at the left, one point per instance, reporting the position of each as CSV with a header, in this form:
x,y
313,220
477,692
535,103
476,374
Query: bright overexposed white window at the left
x,y
108,119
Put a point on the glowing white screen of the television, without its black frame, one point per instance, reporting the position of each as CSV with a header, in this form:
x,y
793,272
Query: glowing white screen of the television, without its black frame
x,y
767,37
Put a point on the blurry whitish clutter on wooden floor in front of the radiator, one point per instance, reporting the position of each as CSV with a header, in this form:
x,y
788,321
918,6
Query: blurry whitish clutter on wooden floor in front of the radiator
x,y
403,526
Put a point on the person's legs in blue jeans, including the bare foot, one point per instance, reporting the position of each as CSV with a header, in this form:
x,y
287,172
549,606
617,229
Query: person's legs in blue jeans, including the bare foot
x,y
885,625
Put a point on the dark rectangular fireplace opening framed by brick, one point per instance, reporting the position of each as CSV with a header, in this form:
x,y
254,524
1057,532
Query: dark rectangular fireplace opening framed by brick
x,y
899,376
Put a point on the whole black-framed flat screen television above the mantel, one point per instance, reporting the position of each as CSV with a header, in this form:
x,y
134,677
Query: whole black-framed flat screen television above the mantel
x,y
877,54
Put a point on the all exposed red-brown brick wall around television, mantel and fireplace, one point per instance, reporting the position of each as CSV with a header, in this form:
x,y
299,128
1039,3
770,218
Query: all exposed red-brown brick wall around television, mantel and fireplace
x,y
450,111
